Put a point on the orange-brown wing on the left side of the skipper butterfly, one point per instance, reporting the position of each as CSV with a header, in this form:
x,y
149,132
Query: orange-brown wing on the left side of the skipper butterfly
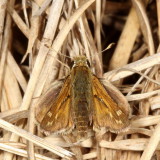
x,y
57,118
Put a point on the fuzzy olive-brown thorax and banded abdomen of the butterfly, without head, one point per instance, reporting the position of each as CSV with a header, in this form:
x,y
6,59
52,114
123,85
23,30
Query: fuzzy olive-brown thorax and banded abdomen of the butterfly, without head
x,y
81,98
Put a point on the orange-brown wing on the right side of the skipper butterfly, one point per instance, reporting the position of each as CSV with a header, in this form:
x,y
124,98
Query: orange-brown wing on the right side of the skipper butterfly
x,y
107,113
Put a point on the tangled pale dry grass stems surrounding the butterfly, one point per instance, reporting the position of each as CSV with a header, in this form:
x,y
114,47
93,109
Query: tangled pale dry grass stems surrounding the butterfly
x,y
35,36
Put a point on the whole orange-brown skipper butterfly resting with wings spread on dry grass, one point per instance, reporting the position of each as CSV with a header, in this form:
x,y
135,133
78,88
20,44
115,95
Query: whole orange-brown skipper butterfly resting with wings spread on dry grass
x,y
81,102
